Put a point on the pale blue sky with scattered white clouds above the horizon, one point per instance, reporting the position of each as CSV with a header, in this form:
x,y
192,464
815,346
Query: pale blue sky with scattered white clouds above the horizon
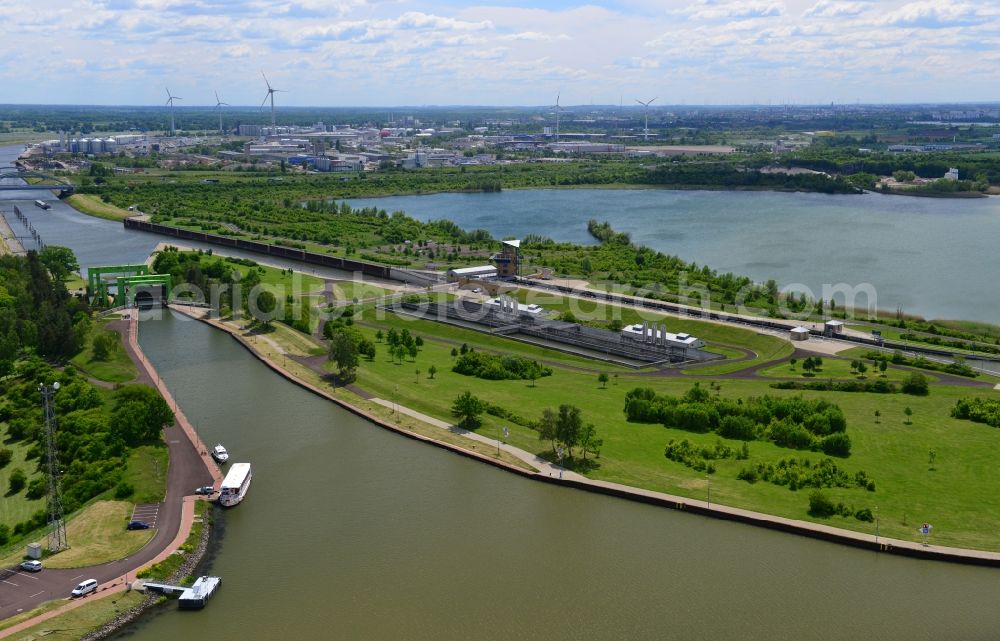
x,y
499,52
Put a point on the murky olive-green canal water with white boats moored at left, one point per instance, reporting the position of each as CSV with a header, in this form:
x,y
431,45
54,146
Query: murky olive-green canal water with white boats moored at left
x,y
352,532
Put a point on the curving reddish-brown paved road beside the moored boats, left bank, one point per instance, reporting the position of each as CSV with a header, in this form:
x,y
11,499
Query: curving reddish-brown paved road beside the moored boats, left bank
x,y
24,591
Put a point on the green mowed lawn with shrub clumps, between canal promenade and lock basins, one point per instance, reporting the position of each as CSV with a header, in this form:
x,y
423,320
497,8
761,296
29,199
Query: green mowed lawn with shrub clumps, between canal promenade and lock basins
x,y
960,496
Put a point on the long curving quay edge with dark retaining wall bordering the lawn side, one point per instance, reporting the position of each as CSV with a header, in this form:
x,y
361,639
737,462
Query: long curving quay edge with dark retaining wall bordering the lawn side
x,y
802,528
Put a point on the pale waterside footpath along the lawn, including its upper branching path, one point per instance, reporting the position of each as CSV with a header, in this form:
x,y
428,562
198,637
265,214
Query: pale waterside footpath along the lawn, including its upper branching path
x,y
550,473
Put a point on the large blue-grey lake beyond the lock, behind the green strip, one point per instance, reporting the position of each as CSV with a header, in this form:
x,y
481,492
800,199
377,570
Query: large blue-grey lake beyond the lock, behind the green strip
x,y
931,256
